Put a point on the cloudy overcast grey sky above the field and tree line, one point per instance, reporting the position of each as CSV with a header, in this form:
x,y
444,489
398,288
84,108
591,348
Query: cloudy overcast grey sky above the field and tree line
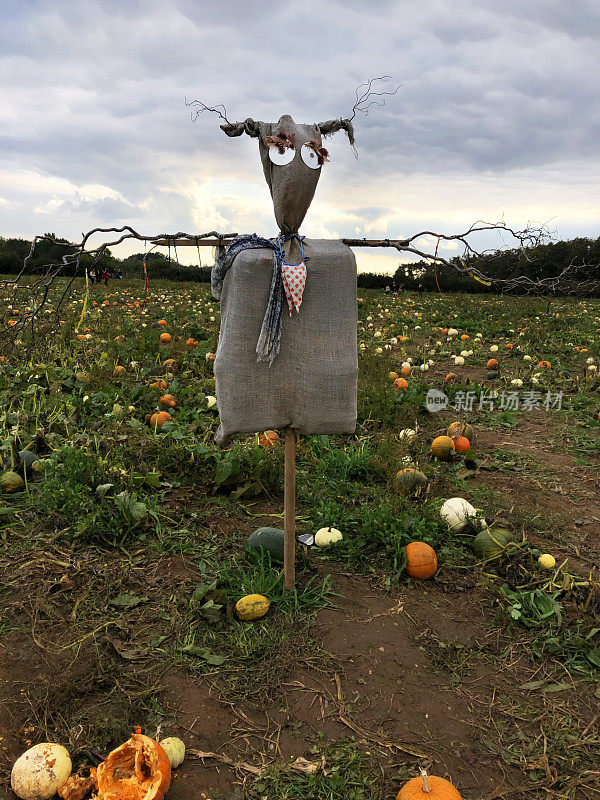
x,y
497,116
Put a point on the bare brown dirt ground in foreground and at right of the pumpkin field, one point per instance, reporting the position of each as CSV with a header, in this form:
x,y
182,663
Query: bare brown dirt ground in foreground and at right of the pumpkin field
x,y
421,672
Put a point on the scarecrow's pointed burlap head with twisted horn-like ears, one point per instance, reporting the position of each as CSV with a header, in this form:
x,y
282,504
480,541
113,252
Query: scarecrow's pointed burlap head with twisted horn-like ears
x,y
292,185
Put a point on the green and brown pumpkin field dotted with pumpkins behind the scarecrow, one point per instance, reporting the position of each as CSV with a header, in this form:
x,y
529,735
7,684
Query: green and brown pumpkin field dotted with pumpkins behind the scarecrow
x,y
139,545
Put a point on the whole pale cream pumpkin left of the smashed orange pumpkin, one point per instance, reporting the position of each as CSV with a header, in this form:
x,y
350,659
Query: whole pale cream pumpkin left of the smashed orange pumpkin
x,y
40,772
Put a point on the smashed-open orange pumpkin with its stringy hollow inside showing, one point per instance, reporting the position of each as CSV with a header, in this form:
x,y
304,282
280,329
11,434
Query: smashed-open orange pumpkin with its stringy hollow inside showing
x,y
137,770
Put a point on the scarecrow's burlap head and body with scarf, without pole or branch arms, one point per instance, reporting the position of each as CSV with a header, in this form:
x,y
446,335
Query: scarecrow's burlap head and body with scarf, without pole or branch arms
x,y
287,353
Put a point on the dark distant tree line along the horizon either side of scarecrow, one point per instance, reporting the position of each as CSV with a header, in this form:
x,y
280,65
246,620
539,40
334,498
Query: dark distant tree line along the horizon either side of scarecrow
x,y
580,257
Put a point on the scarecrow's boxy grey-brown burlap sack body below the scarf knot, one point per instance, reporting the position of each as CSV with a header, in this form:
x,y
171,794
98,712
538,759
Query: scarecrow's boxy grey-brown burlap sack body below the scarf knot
x,y
312,383
